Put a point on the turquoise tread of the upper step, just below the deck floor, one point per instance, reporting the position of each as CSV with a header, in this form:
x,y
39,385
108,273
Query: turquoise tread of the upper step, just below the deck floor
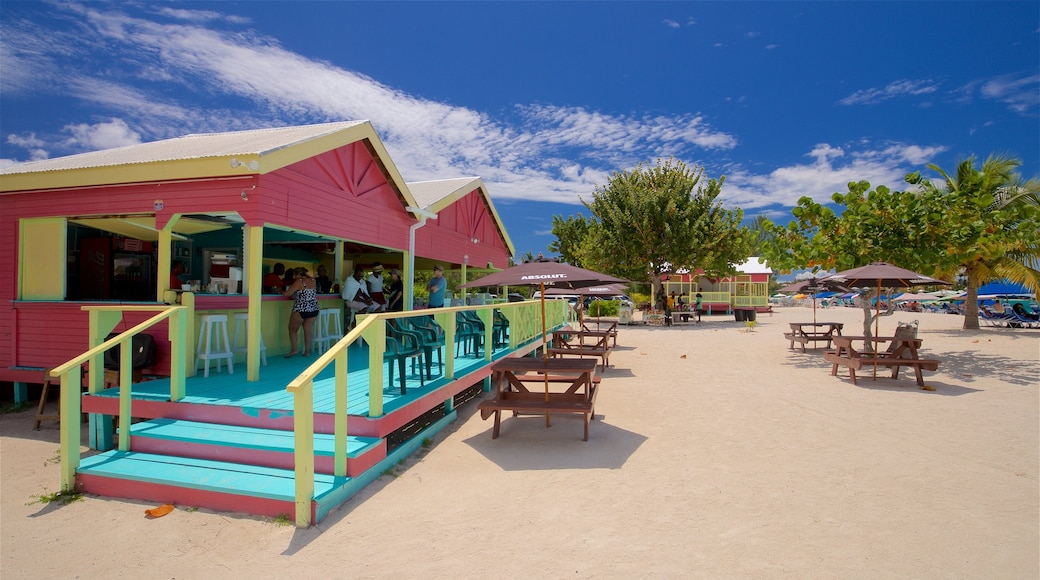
x,y
245,438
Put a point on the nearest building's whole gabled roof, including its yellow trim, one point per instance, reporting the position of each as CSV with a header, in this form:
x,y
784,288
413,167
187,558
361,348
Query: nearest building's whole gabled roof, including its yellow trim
x,y
206,155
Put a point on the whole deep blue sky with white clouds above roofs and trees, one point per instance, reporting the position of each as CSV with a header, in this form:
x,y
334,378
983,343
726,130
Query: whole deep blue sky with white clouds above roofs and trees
x,y
544,100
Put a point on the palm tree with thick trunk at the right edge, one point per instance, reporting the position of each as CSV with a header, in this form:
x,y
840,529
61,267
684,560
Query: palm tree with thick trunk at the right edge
x,y
985,224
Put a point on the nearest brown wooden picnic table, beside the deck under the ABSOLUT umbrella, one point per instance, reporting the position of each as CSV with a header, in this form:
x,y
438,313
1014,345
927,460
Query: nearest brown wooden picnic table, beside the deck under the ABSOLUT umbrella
x,y
524,387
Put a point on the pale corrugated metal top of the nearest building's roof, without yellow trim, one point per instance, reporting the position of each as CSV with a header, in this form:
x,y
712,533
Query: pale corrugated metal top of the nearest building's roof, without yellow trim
x,y
257,142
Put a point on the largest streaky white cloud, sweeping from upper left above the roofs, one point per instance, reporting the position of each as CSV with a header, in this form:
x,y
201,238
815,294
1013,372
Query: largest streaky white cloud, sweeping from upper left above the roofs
x,y
530,161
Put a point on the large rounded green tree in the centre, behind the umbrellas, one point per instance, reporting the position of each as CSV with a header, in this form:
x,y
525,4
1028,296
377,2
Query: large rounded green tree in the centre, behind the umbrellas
x,y
657,219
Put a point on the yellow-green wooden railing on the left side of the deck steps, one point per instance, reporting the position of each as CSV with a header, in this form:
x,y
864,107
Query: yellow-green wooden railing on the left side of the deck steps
x,y
103,320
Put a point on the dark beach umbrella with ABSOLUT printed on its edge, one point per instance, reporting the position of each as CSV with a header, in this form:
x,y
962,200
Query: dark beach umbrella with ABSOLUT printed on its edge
x,y
545,274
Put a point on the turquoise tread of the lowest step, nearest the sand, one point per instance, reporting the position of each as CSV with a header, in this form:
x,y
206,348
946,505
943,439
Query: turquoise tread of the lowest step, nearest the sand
x,y
209,476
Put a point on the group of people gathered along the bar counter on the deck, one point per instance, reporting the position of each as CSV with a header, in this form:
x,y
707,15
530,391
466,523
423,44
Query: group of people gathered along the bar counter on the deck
x,y
360,295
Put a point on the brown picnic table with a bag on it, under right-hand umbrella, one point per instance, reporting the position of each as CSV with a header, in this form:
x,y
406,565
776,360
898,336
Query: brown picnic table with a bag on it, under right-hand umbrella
x,y
902,353
